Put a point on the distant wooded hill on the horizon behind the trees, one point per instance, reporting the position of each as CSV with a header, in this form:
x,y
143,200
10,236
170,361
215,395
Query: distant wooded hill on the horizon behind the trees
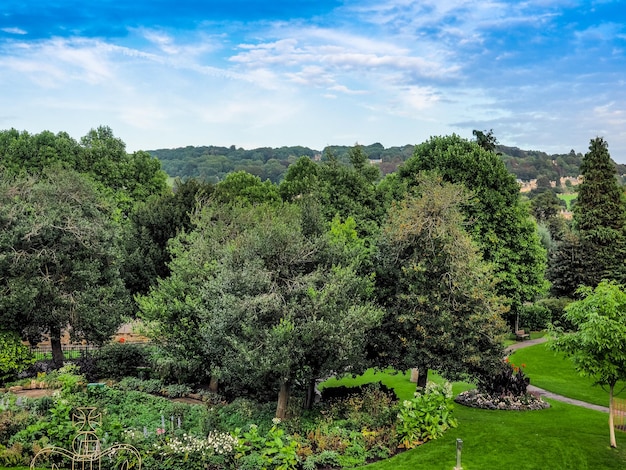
x,y
212,163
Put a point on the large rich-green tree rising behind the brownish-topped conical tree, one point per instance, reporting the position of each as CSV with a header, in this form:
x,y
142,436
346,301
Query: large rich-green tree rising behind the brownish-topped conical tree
x,y
496,217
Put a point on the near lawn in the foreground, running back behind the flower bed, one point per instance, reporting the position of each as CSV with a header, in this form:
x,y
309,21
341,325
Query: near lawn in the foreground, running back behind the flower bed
x,y
561,437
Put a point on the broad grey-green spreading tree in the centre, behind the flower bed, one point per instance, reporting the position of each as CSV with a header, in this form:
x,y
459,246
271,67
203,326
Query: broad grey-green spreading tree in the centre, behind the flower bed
x,y
272,305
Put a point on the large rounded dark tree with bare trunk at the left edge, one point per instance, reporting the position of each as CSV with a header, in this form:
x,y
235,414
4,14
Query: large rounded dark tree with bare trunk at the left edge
x,y
59,259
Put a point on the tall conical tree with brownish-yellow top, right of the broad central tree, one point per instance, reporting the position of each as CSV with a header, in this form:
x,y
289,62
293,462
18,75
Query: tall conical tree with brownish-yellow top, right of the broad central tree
x,y
442,311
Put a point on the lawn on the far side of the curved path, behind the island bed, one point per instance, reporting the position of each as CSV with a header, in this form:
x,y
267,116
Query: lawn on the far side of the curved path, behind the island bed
x,y
554,372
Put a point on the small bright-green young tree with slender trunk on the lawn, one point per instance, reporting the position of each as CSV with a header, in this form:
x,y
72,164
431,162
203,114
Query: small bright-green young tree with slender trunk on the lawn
x,y
596,347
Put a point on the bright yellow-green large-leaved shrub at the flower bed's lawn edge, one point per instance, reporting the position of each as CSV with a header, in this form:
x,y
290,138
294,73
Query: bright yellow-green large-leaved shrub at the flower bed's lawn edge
x,y
426,416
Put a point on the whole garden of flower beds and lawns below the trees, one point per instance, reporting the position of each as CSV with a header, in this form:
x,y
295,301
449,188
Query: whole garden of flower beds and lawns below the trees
x,y
375,418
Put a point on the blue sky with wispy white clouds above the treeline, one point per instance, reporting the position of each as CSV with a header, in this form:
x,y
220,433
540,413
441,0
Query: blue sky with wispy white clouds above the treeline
x,y
543,74
